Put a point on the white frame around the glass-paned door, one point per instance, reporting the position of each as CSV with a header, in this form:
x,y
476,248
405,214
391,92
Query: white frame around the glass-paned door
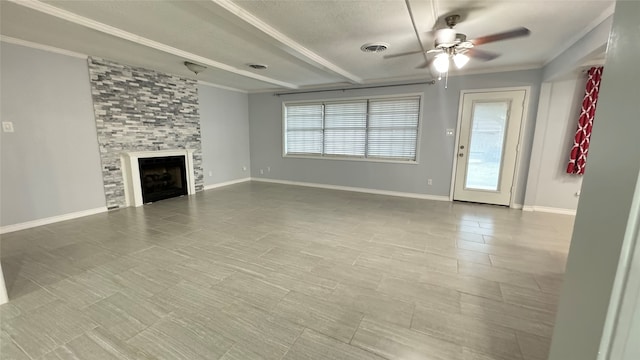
x,y
525,116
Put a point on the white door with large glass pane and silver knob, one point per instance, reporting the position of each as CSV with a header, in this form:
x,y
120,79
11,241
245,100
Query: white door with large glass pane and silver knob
x,y
487,146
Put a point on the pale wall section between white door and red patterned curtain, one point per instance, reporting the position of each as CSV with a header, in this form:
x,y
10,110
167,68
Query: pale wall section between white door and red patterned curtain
x,y
561,97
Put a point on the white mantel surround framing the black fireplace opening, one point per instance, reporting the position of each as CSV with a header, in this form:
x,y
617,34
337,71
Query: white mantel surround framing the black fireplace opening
x,y
131,172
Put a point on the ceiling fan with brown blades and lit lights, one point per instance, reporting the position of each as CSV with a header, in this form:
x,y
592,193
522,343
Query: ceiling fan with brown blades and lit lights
x,y
450,44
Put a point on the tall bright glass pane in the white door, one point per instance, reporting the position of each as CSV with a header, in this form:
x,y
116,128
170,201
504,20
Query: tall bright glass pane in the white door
x,y
486,144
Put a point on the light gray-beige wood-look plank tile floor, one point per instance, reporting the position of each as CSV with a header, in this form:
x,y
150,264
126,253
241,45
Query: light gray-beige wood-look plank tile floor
x,y
265,271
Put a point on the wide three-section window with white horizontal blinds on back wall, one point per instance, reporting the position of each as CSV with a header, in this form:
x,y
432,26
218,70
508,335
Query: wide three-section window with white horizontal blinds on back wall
x,y
364,128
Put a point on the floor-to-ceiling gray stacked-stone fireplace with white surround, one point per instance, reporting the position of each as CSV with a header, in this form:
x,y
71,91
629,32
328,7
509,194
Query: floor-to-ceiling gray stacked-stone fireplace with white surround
x,y
141,114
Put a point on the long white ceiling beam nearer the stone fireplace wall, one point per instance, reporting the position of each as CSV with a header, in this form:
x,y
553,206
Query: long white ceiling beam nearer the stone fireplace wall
x,y
113,31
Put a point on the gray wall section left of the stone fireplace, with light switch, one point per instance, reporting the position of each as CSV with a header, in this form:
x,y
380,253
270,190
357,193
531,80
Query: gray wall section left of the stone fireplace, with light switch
x,y
50,164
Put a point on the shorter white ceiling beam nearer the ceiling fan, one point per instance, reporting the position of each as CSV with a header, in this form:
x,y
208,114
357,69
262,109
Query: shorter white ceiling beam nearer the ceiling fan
x,y
286,43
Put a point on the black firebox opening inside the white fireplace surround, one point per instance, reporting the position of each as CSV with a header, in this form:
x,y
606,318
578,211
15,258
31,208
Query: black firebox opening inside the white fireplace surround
x,y
162,177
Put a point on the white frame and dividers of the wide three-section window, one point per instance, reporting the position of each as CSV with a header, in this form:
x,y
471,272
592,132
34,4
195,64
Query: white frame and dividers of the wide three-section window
x,y
323,156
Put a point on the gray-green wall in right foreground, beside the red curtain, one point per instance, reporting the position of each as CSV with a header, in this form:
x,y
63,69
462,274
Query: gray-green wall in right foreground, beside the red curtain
x,y
604,210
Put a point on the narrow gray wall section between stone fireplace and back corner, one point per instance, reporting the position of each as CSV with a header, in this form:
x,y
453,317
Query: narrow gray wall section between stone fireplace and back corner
x,y
224,124
